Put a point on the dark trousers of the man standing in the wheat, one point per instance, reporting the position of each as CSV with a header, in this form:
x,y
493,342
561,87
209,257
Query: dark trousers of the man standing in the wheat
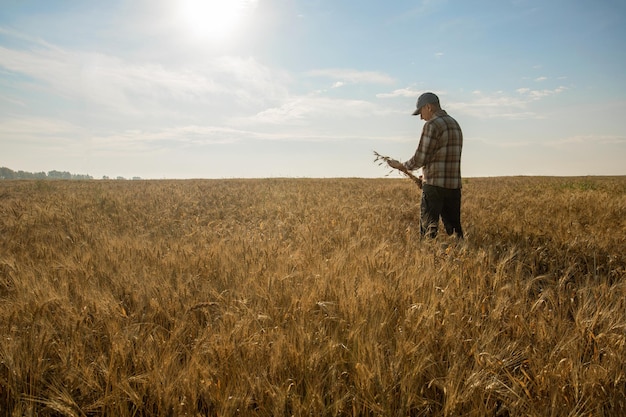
x,y
440,202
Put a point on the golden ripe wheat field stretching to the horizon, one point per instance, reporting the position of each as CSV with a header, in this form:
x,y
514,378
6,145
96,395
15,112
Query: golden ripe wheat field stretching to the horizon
x,y
281,297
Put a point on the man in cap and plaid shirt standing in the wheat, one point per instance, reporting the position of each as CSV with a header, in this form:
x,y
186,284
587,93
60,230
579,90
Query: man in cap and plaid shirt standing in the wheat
x,y
439,156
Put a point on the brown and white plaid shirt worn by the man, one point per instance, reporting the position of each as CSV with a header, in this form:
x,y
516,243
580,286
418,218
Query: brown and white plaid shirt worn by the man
x,y
439,152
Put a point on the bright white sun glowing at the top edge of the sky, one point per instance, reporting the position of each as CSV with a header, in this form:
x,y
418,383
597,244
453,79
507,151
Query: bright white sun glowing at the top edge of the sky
x,y
215,20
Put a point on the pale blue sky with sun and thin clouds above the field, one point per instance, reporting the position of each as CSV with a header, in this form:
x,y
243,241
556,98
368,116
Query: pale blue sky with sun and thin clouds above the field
x,y
309,88
